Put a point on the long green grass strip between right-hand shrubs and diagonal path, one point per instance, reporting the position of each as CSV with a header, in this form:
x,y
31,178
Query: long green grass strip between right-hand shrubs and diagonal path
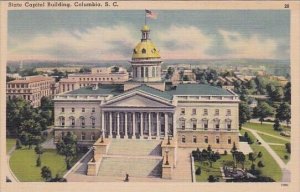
x,y
271,168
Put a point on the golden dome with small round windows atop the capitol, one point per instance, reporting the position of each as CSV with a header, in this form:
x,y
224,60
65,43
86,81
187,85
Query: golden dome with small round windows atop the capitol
x,y
144,50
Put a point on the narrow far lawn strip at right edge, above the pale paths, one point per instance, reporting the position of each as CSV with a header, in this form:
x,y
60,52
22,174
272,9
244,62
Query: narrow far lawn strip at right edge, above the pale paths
x,y
267,128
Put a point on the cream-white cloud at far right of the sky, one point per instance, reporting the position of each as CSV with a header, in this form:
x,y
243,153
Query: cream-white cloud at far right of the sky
x,y
254,46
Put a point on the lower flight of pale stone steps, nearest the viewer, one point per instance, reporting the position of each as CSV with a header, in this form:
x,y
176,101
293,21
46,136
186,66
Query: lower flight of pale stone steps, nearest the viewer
x,y
135,167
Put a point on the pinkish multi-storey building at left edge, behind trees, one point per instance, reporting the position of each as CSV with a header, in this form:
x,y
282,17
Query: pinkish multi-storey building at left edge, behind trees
x,y
31,88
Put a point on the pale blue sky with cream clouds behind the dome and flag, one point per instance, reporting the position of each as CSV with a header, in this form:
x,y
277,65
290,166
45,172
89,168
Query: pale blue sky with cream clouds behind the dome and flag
x,y
111,35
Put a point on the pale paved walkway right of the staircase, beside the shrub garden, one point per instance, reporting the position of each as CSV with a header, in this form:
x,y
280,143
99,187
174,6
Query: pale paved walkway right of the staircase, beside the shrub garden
x,y
183,170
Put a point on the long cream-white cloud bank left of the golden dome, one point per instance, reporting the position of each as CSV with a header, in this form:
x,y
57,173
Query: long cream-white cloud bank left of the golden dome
x,y
110,43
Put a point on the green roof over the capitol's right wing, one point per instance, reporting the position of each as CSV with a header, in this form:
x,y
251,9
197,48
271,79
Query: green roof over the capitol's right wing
x,y
199,89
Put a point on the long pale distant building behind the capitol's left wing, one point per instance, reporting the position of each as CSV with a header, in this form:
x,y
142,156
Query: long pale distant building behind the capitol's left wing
x,y
98,75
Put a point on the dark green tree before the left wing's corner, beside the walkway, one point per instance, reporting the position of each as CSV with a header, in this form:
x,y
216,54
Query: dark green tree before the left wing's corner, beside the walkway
x,y
67,147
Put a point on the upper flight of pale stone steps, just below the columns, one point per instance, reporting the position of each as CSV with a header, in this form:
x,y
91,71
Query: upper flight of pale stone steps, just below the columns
x,y
135,147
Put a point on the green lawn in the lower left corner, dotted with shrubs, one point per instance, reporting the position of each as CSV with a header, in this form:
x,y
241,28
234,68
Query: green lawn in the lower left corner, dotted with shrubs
x,y
22,163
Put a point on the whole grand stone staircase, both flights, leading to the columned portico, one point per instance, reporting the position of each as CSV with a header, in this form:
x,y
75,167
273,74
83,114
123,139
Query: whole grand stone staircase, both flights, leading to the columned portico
x,y
138,158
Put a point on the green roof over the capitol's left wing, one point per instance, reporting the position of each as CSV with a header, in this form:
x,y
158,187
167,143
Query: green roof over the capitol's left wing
x,y
112,89
